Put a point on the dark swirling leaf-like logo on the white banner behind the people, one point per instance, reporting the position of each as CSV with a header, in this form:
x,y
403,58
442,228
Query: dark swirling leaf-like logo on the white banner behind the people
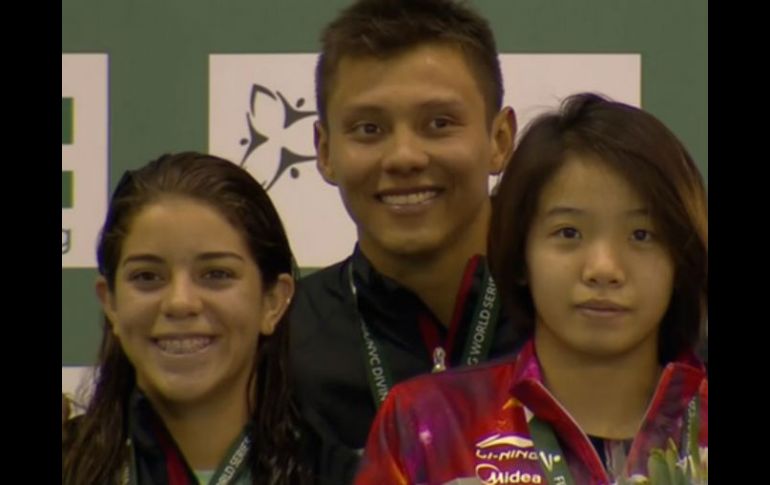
x,y
287,159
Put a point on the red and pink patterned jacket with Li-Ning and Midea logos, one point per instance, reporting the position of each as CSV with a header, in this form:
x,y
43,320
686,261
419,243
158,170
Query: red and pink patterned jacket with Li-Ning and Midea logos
x,y
470,426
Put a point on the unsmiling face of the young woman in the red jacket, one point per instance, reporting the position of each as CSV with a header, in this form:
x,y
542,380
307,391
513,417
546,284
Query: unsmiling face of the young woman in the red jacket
x,y
600,277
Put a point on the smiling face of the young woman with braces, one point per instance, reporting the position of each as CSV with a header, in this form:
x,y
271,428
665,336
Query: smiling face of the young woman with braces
x,y
188,304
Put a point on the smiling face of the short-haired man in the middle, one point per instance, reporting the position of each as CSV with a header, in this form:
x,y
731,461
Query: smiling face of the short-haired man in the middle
x,y
410,146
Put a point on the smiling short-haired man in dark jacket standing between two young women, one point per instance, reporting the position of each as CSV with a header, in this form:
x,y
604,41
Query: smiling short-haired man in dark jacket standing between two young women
x,y
411,126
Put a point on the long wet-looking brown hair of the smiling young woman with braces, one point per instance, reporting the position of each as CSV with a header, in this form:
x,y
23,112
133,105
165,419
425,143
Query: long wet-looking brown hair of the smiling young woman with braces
x,y
94,450
